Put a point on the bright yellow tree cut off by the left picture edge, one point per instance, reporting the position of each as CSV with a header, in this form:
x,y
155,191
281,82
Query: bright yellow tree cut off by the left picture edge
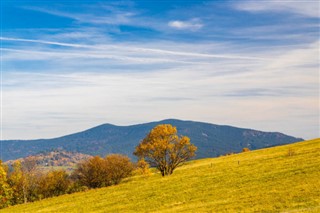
x,y
5,189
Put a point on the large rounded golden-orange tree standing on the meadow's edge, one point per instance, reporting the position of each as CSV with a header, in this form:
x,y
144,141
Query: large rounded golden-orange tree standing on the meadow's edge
x,y
164,149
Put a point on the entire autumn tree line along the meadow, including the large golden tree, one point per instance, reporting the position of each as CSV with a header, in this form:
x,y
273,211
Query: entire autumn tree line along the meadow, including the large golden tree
x,y
24,182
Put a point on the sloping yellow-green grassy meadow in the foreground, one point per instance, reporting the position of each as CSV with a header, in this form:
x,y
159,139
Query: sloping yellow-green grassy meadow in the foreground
x,y
268,180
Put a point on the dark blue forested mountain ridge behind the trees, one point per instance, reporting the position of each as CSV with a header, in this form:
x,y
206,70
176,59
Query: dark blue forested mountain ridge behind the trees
x,y
212,140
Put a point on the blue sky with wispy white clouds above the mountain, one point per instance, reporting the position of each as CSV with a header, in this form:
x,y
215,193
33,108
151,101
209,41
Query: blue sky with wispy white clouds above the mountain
x,y
67,66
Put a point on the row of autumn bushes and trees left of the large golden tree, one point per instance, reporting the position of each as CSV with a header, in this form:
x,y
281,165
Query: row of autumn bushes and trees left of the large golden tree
x,y
25,182
